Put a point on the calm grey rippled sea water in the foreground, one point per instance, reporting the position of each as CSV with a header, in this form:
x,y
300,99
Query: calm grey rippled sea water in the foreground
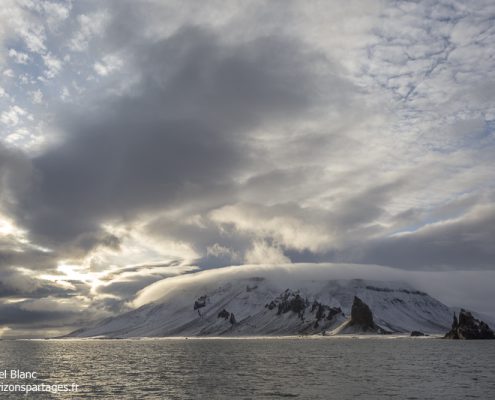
x,y
257,369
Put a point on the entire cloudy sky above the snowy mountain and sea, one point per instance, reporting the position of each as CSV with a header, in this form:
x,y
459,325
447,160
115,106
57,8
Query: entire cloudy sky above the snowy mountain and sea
x,y
141,140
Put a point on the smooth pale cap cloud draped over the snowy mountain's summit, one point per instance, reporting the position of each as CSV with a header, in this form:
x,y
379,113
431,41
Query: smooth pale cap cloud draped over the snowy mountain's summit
x,y
453,288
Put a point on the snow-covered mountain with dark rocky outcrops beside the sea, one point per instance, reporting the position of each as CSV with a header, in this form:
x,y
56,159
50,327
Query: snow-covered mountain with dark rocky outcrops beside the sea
x,y
235,302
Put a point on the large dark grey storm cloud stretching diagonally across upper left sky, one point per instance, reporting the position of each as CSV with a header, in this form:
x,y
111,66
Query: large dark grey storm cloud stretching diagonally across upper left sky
x,y
178,139
